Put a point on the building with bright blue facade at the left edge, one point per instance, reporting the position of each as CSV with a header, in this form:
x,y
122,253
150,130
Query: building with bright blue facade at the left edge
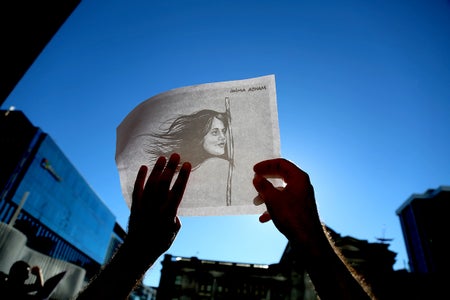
x,y
43,196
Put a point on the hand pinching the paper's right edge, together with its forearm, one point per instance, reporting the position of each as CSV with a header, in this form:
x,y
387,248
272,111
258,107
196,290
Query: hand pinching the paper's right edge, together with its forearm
x,y
293,210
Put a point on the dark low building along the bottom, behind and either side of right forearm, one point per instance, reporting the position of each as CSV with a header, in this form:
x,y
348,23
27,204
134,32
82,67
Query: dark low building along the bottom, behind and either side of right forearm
x,y
193,278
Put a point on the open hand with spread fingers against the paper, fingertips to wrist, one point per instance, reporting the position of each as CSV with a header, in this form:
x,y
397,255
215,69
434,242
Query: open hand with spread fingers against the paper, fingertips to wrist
x,y
153,223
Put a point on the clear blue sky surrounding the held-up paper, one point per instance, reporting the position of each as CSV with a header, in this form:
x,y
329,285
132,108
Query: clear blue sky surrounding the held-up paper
x,y
363,93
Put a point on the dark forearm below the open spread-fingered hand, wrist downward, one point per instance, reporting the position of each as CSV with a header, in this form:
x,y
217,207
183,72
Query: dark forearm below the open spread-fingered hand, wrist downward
x,y
121,275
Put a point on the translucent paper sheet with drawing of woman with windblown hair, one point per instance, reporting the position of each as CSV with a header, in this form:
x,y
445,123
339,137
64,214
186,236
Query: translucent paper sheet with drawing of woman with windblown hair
x,y
222,128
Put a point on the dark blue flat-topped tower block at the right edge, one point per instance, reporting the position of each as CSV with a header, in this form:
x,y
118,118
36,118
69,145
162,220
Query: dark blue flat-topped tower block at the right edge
x,y
423,219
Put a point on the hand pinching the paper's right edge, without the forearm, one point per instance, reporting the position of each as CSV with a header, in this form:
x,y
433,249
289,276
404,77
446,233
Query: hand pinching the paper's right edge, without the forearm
x,y
292,207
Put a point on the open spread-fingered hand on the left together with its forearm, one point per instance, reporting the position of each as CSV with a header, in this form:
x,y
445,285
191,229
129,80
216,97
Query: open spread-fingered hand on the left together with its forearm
x,y
152,227
